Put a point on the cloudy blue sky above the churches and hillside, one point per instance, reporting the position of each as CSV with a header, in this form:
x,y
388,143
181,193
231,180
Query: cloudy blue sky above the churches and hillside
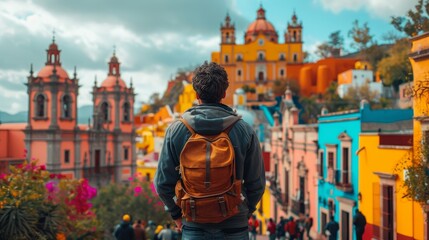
x,y
154,38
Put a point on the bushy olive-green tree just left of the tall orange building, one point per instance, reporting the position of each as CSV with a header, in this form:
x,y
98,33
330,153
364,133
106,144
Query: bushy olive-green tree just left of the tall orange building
x,y
396,68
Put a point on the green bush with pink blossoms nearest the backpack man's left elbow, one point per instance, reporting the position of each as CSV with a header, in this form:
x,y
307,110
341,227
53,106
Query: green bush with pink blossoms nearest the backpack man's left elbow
x,y
137,198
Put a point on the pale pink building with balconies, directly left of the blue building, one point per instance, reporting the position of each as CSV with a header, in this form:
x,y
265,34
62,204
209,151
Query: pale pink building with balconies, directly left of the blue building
x,y
293,179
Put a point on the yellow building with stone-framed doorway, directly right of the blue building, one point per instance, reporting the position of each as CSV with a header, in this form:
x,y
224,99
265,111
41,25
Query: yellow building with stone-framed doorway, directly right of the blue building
x,y
389,214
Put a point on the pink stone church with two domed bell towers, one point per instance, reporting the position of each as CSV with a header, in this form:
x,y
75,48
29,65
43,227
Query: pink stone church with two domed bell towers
x,y
102,151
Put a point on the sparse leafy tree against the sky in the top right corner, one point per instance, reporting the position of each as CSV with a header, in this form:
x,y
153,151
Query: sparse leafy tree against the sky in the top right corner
x,y
415,22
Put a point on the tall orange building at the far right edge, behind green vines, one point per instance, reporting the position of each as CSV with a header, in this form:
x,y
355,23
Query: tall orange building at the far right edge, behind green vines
x,y
419,59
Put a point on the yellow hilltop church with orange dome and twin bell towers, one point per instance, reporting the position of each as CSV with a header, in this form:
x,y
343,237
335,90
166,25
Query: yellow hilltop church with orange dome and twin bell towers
x,y
261,59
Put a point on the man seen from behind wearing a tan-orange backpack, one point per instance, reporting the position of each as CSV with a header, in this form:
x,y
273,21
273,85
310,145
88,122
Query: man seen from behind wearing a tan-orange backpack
x,y
241,156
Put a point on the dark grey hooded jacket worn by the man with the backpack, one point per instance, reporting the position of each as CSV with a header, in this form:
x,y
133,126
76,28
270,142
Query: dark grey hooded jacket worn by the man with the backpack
x,y
211,119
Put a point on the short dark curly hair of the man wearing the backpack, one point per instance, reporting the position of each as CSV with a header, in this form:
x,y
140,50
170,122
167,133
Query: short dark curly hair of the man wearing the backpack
x,y
210,81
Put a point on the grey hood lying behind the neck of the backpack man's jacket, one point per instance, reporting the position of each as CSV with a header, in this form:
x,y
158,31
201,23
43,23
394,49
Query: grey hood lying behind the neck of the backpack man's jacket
x,y
210,119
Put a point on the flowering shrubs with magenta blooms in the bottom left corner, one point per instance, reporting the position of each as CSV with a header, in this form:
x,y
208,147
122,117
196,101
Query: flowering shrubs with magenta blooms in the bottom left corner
x,y
35,204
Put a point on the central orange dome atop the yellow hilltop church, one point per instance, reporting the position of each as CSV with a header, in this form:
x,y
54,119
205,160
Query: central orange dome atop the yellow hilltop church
x,y
261,25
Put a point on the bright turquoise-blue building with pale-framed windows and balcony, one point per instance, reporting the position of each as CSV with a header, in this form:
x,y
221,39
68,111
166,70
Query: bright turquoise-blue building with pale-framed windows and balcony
x,y
338,163
